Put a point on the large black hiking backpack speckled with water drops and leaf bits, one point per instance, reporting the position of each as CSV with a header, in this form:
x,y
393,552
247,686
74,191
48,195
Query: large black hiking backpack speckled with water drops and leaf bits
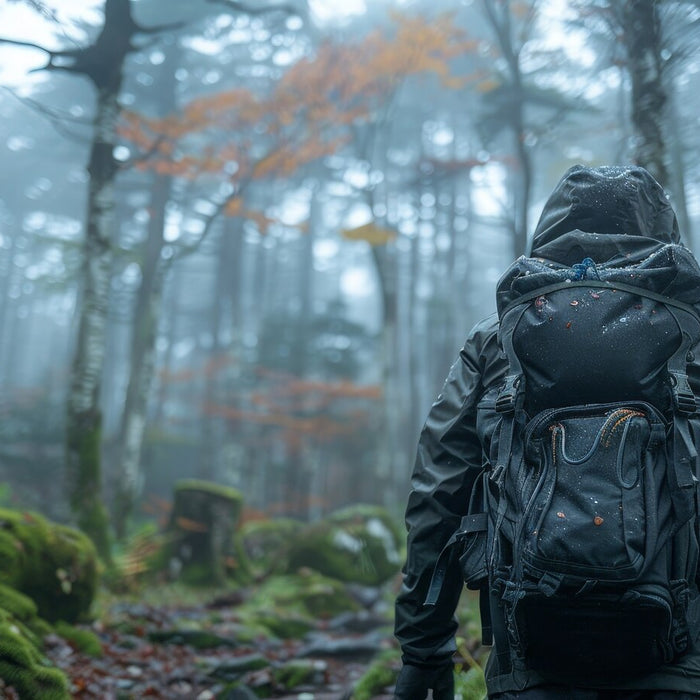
x,y
583,526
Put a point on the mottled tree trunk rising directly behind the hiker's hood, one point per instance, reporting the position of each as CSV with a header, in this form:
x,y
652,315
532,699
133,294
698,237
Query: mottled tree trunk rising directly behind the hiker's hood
x,y
642,37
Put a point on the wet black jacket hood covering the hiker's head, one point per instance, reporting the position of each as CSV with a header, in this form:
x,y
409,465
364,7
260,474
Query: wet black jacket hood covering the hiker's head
x,y
610,208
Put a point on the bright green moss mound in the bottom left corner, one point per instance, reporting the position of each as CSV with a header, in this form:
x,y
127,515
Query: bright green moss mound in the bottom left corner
x,y
24,668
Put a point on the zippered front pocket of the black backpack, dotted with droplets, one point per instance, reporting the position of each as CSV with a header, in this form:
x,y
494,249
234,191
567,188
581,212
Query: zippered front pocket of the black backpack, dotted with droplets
x,y
595,505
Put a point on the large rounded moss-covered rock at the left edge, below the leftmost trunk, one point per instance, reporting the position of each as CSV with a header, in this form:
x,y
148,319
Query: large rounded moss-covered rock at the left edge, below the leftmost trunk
x,y
55,565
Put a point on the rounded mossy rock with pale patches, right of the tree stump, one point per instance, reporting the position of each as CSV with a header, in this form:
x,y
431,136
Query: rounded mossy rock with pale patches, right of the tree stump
x,y
360,544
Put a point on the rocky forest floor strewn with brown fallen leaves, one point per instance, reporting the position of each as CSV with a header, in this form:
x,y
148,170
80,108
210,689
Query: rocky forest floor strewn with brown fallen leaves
x,y
156,650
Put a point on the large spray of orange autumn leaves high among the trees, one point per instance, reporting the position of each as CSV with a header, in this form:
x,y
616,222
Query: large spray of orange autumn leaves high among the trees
x,y
305,116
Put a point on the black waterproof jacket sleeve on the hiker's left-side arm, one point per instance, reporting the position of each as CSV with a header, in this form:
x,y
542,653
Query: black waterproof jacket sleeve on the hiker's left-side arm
x,y
449,457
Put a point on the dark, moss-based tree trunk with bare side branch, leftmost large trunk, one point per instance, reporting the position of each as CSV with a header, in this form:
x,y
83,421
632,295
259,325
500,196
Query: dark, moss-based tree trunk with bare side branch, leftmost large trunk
x,y
102,62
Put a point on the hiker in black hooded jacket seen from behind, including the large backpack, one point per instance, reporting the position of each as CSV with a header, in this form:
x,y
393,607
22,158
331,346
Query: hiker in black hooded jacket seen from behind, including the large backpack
x,y
587,579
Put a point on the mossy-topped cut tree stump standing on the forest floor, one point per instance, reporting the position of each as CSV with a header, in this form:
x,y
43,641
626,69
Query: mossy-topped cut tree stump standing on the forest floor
x,y
201,529
